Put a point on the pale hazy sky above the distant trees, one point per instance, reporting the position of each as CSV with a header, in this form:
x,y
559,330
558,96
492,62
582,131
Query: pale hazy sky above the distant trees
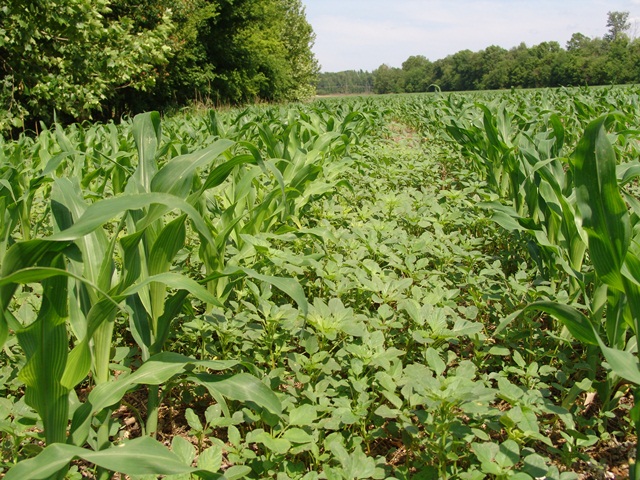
x,y
364,34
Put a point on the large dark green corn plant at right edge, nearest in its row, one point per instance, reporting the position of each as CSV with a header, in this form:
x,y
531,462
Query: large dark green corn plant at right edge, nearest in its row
x,y
614,250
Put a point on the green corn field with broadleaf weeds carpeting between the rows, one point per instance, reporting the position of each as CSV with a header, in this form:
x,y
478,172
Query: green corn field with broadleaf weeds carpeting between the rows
x,y
420,286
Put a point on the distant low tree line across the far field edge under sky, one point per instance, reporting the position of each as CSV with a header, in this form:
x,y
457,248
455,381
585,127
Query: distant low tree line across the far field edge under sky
x,y
612,59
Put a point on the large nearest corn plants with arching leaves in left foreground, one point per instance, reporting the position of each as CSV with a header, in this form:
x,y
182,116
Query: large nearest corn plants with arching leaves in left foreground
x,y
83,292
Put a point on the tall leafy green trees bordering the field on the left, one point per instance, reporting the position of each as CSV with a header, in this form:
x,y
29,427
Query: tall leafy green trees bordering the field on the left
x,y
96,59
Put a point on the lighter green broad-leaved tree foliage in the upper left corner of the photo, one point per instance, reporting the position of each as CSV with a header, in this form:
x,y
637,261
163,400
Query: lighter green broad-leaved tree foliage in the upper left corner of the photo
x,y
62,58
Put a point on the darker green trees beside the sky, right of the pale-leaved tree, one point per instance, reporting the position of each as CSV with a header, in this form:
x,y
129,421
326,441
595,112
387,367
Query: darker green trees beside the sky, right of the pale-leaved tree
x,y
229,52
